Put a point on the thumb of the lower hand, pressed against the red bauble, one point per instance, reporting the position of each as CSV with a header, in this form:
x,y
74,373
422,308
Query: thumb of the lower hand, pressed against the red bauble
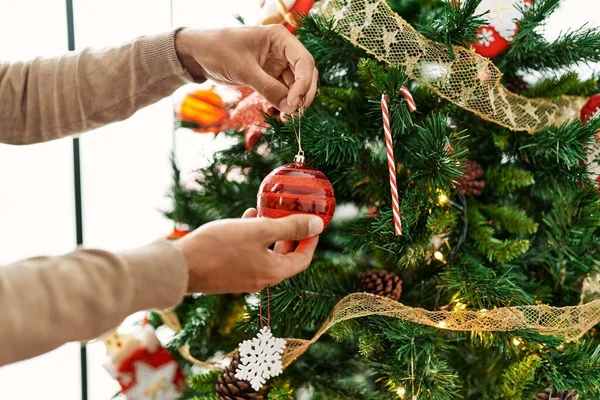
x,y
294,227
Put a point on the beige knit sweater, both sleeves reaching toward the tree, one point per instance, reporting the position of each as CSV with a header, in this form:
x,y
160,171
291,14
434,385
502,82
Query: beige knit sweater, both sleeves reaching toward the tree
x,y
45,302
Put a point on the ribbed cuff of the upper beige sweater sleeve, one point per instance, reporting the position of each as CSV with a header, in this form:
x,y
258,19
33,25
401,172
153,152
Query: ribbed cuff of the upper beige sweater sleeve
x,y
159,57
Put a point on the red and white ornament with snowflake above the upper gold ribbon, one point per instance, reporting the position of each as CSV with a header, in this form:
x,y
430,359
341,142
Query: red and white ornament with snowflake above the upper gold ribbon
x,y
493,39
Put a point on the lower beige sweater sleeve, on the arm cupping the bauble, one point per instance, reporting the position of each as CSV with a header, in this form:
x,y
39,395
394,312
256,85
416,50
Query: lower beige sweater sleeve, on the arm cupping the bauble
x,y
47,301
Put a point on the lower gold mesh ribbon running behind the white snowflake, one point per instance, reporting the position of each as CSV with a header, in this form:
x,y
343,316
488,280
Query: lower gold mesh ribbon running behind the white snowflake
x,y
569,323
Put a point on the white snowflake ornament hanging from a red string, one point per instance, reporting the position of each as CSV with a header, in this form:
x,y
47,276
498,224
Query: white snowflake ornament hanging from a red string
x,y
260,358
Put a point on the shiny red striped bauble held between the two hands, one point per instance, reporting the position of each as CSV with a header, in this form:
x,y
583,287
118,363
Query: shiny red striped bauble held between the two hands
x,y
296,189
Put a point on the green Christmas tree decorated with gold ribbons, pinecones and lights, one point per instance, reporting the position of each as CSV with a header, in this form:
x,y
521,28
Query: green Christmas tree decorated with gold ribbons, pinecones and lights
x,y
498,205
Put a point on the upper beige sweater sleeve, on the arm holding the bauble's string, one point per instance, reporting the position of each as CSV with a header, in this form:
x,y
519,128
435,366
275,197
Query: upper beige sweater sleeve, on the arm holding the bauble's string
x,y
49,98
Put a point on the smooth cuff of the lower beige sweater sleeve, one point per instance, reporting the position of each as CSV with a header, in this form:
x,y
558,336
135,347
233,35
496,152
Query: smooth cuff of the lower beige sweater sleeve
x,y
160,274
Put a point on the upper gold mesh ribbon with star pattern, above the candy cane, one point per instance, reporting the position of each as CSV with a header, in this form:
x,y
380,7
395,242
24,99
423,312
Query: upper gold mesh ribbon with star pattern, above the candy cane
x,y
468,80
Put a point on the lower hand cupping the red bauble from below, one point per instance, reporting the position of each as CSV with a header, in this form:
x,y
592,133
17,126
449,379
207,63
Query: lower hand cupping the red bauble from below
x,y
233,256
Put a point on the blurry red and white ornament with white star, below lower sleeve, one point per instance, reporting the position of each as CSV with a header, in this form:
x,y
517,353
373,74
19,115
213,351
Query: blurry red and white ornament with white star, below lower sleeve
x,y
143,368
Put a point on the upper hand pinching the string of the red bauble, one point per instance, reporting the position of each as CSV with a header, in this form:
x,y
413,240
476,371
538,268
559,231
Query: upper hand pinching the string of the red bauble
x,y
268,59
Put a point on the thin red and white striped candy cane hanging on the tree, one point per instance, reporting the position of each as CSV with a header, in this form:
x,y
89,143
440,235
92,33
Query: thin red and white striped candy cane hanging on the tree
x,y
389,144
